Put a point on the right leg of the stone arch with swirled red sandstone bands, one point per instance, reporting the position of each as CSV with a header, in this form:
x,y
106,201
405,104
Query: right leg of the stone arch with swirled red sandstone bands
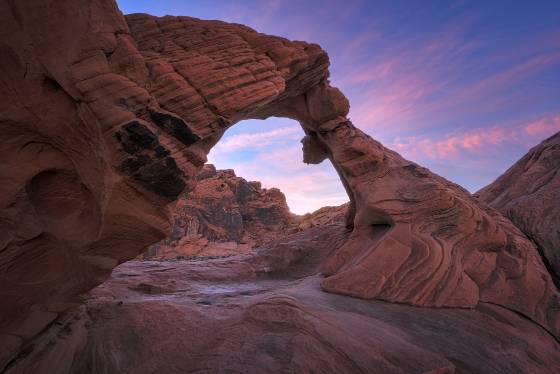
x,y
418,238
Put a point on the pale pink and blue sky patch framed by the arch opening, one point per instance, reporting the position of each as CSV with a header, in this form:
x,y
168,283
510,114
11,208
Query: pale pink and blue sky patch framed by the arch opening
x,y
270,151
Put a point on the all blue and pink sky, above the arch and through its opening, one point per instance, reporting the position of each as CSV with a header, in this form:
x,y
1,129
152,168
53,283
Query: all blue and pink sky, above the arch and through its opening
x,y
464,88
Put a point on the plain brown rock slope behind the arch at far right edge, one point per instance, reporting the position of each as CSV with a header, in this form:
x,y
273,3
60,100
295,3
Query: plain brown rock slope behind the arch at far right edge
x,y
528,194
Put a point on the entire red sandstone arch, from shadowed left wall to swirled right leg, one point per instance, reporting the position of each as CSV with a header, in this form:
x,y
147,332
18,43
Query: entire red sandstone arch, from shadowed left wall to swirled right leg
x,y
105,120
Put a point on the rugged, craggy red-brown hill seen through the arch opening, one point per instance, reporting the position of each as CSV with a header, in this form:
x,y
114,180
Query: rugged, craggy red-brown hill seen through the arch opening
x,y
224,215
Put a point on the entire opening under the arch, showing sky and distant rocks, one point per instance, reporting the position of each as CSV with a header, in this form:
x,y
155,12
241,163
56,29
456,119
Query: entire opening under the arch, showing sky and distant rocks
x,y
265,178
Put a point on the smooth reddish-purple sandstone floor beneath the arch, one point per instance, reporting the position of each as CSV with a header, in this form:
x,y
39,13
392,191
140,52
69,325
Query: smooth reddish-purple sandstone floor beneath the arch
x,y
264,313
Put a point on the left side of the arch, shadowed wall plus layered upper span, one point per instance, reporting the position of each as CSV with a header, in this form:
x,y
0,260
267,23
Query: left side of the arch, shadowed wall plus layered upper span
x,y
104,121
